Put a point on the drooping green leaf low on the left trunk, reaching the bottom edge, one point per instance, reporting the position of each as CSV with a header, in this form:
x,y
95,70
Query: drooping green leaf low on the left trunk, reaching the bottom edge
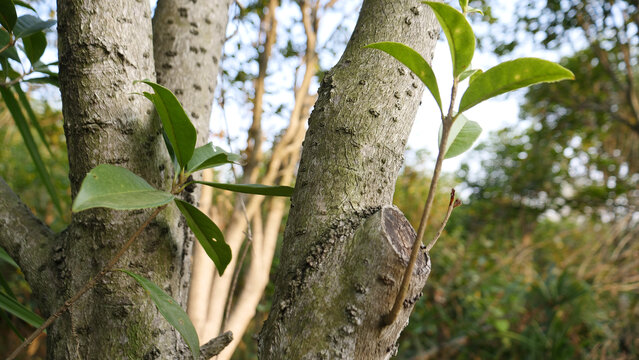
x,y
171,311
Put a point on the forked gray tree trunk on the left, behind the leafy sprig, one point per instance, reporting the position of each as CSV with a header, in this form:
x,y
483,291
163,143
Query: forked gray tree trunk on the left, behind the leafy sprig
x,y
104,47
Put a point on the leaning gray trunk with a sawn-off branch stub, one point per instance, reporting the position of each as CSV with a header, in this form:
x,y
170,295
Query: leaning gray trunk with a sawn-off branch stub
x,y
335,264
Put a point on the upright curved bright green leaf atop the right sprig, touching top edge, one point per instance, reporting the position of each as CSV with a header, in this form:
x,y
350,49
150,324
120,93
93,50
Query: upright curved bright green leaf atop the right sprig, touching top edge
x,y
459,33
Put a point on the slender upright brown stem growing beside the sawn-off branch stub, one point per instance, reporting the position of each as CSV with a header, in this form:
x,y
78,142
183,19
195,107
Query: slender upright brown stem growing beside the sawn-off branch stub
x,y
447,123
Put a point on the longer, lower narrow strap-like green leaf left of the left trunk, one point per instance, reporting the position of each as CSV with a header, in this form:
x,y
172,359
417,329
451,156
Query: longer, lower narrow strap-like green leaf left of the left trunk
x,y
23,127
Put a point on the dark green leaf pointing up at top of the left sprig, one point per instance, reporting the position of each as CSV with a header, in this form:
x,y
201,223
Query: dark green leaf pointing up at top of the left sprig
x,y
176,123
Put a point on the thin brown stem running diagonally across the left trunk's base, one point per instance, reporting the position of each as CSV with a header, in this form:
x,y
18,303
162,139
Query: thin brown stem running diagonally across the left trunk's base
x,y
88,286
